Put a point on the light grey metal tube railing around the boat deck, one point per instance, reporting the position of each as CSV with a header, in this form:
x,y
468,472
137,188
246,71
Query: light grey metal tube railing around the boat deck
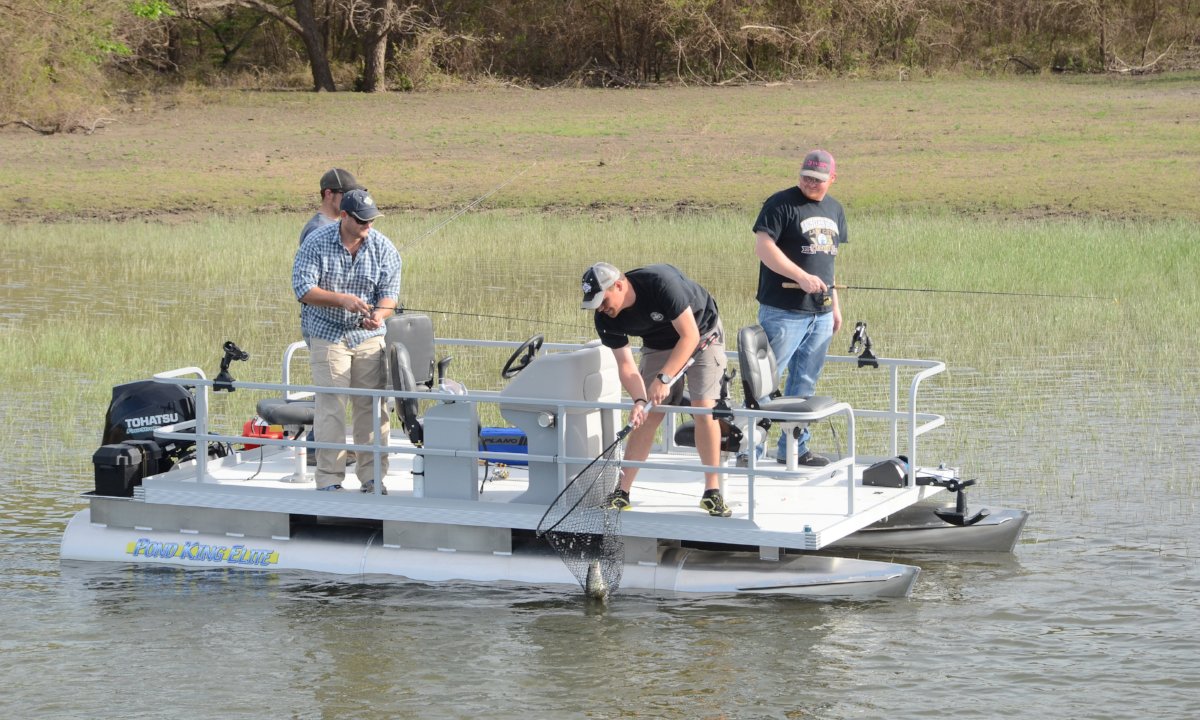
x,y
916,424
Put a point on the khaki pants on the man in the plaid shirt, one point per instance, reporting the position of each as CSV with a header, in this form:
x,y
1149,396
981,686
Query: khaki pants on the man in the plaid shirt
x,y
334,365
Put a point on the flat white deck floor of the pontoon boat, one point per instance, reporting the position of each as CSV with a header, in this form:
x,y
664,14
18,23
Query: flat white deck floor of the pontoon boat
x,y
799,511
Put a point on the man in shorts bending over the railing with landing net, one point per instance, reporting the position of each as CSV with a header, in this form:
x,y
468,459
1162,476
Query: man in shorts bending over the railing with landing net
x,y
671,314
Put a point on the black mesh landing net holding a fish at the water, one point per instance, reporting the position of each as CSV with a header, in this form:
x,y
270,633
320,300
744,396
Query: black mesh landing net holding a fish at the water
x,y
583,530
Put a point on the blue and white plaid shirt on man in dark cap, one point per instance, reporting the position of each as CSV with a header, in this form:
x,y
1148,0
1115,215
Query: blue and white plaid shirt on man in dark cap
x,y
374,275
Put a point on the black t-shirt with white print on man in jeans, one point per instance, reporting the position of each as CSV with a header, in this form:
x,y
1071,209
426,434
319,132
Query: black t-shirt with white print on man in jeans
x,y
809,233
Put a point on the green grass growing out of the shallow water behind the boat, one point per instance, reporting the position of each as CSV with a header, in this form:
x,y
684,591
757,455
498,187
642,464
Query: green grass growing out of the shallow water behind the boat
x,y
115,302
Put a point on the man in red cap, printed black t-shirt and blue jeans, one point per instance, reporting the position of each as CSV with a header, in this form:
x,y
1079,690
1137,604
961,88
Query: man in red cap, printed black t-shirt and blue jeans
x,y
797,237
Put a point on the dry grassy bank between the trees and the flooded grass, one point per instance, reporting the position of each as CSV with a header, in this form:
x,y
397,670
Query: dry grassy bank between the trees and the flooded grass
x,y
1033,147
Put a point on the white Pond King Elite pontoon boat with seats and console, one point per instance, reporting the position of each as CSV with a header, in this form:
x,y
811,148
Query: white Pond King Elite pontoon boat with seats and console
x,y
171,489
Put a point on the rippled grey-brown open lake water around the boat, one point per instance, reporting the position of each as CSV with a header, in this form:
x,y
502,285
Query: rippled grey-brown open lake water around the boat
x,y
1094,616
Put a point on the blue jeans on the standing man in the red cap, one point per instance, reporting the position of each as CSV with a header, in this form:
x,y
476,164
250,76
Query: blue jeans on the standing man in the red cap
x,y
800,343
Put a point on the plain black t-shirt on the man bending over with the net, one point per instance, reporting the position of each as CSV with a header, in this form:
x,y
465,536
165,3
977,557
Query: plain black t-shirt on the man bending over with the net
x,y
662,295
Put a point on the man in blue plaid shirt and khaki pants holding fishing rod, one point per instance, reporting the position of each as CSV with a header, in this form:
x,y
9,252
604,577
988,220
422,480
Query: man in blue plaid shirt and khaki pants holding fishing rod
x,y
347,278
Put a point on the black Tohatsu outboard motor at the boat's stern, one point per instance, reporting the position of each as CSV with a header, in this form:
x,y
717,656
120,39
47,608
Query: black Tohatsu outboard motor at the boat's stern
x,y
130,451
